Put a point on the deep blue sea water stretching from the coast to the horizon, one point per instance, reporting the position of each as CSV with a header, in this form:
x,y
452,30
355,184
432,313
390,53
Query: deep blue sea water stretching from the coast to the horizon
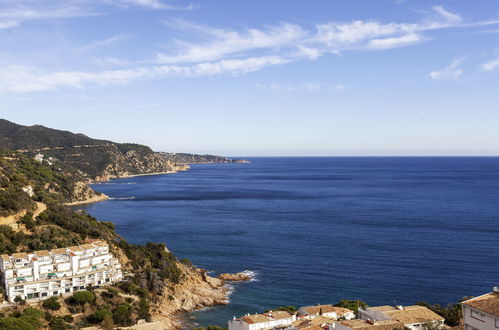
x,y
317,230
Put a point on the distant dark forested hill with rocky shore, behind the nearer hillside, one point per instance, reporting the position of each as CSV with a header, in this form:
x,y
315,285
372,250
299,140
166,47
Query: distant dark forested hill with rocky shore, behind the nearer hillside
x,y
95,159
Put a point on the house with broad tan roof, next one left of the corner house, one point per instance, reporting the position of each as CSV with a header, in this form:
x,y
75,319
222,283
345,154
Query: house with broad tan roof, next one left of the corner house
x,y
412,317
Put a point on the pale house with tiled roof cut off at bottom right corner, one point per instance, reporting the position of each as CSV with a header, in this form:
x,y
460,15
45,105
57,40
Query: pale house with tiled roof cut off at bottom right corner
x,y
482,313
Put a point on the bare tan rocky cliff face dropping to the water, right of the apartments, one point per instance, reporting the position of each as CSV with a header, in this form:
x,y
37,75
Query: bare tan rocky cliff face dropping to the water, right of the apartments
x,y
197,290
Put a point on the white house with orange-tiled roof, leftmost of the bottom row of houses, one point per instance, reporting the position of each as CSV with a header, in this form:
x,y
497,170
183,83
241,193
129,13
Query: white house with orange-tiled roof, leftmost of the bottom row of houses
x,y
270,320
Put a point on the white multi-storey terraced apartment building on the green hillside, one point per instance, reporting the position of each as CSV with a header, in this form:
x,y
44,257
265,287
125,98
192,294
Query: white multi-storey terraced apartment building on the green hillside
x,y
42,274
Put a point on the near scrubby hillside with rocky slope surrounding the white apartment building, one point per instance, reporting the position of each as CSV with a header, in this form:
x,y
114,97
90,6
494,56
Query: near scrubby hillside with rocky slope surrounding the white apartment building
x,y
32,217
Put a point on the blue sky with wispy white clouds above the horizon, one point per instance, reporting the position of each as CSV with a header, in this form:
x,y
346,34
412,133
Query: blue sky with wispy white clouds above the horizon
x,y
259,77
